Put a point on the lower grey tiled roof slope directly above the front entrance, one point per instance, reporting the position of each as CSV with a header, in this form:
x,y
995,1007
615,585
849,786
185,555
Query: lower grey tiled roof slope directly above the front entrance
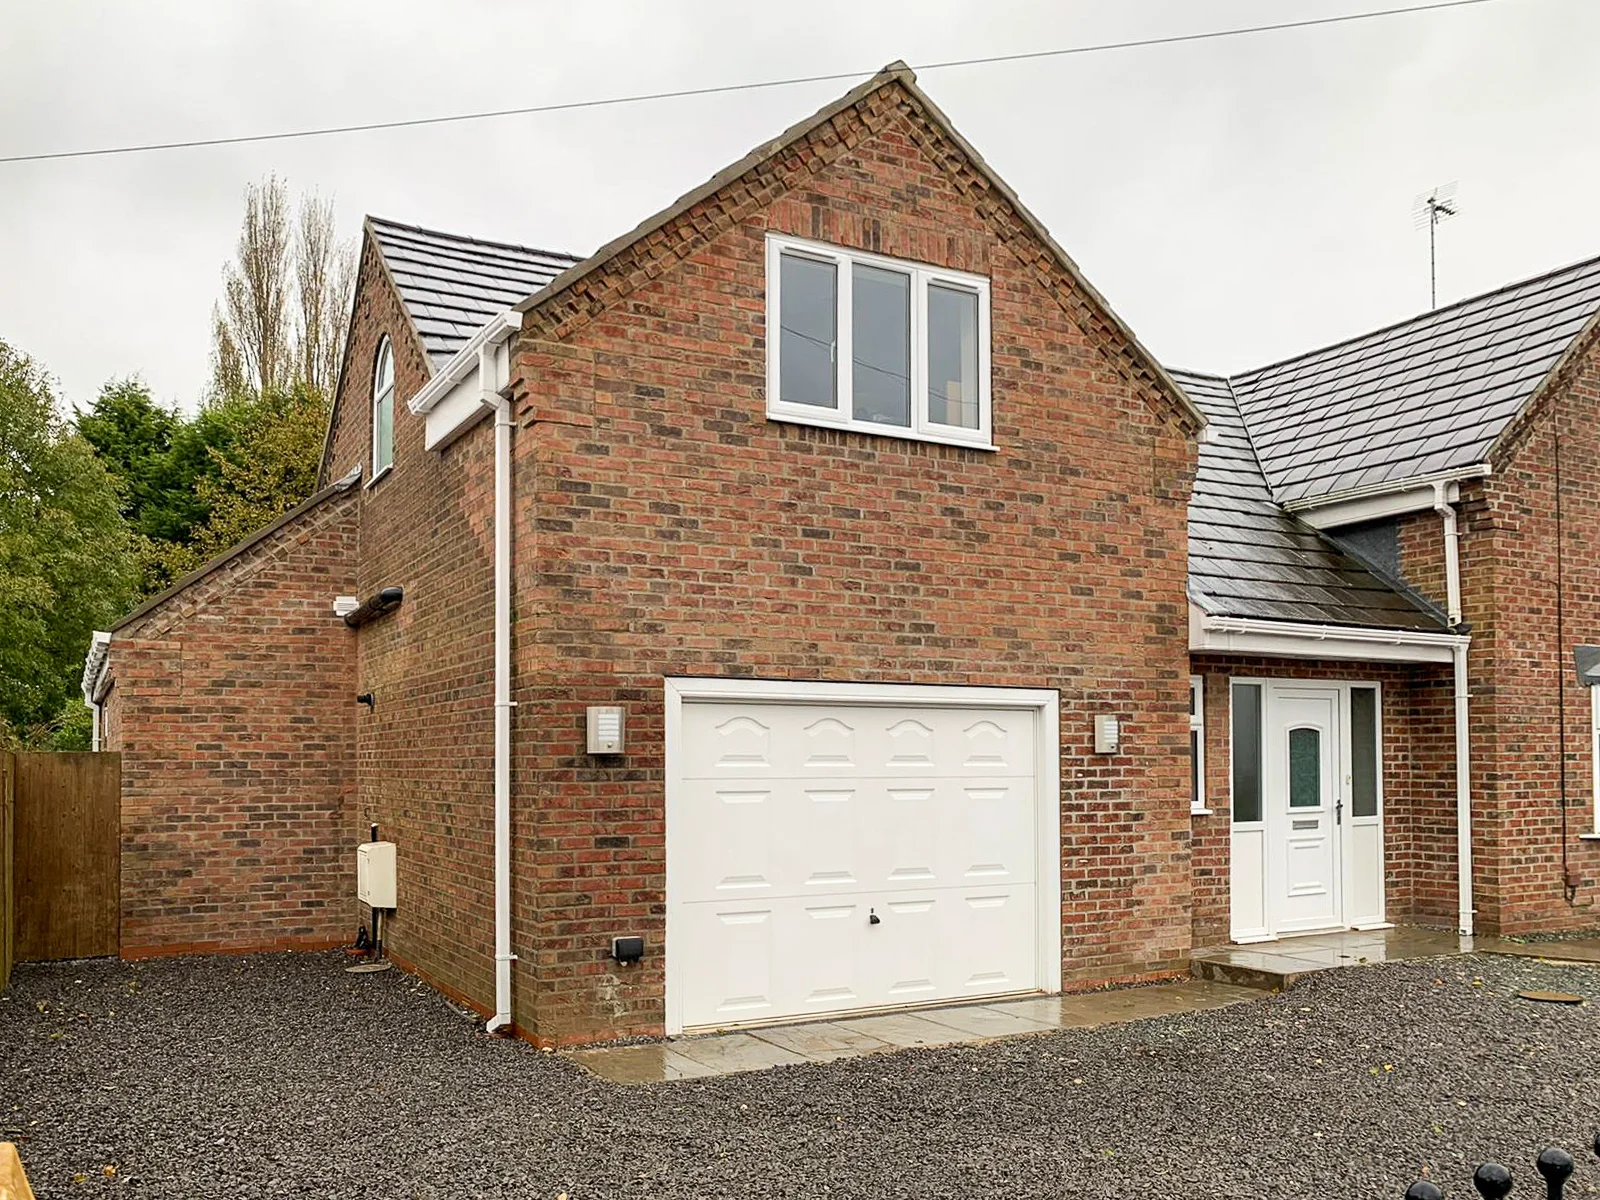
x,y
1249,558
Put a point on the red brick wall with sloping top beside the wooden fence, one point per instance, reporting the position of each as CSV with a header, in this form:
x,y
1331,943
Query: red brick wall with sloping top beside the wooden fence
x,y
231,705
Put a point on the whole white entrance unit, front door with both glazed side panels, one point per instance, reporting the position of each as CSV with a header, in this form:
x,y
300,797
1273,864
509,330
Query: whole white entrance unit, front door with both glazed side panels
x,y
1308,839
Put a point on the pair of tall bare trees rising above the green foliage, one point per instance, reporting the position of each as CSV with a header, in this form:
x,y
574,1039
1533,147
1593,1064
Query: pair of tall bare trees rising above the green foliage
x,y
286,298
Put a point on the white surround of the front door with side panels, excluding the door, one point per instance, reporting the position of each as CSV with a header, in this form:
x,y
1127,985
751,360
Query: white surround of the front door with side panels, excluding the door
x,y
1265,838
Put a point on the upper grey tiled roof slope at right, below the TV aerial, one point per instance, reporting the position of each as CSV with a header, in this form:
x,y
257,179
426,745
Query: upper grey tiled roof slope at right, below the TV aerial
x,y
1426,396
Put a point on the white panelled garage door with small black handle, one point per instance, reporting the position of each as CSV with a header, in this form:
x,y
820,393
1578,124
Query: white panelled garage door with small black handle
x,y
834,857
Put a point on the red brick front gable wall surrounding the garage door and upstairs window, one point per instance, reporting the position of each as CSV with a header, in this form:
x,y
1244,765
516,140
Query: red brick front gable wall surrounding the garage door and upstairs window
x,y
670,529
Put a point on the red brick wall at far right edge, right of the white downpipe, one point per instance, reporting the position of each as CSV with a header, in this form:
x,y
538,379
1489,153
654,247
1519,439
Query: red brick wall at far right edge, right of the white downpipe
x,y
1545,599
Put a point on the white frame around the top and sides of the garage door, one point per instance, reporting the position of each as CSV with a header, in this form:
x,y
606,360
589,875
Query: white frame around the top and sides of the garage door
x,y
681,690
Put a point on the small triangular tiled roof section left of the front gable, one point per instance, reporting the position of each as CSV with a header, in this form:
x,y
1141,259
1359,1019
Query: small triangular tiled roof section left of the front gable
x,y
452,286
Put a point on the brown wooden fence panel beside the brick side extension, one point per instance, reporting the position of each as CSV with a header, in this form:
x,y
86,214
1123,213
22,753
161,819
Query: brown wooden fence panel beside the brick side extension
x,y
66,852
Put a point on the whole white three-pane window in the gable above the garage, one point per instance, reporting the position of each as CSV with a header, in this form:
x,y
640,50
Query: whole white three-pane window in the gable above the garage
x,y
862,342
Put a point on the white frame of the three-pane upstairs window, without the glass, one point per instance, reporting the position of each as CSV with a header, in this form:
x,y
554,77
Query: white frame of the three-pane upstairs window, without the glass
x,y
922,276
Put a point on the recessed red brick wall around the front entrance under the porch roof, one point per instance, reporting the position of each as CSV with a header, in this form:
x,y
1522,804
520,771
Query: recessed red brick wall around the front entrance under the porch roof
x,y
1420,790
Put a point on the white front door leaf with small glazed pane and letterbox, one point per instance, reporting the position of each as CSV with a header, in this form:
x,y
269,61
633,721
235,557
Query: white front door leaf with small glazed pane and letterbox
x,y
1303,801
